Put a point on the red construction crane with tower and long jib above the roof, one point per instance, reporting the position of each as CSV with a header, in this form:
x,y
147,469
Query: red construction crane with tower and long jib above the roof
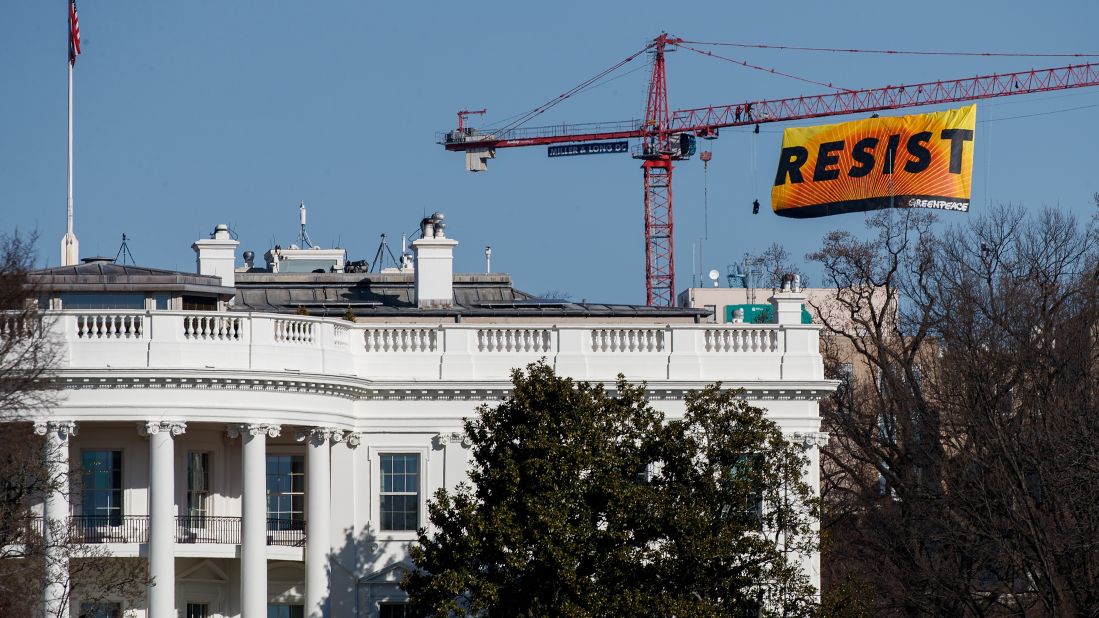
x,y
668,137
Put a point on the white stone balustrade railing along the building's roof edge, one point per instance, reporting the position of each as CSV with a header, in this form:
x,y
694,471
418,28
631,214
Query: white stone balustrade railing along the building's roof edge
x,y
267,343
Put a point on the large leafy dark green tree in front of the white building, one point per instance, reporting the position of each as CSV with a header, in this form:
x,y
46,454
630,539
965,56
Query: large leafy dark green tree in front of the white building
x,y
585,503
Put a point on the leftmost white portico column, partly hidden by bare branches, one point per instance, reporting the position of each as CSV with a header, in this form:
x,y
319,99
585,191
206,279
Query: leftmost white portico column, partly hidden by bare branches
x,y
57,453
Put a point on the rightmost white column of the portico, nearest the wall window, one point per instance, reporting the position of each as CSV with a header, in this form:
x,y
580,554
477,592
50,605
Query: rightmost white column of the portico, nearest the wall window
x,y
318,504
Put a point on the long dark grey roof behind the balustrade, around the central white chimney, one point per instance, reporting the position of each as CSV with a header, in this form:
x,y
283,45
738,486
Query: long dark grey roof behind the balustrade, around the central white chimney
x,y
392,294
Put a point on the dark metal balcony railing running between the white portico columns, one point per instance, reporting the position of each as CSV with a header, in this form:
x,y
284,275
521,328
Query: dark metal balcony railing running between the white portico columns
x,y
190,531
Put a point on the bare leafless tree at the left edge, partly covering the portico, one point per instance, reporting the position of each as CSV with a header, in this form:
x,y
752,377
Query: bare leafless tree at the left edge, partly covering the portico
x,y
28,361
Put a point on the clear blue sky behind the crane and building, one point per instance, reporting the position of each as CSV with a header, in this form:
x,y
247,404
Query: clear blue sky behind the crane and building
x,y
199,113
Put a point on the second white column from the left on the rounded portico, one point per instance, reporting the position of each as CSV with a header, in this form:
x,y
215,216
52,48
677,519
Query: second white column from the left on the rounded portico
x,y
162,515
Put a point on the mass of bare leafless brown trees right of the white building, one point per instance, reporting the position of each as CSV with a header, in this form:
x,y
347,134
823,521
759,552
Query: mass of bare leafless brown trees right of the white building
x,y
962,478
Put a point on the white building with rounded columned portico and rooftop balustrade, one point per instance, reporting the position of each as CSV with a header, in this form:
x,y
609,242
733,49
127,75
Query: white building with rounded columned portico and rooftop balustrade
x,y
273,458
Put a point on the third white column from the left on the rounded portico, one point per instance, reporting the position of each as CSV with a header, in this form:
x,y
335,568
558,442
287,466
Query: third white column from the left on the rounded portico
x,y
254,517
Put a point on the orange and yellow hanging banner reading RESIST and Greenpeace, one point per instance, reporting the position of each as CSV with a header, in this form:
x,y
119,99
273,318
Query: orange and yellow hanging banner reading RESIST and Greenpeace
x,y
920,161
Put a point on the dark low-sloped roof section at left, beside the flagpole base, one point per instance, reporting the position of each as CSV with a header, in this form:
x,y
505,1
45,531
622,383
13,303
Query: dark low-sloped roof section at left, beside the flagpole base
x,y
107,277
